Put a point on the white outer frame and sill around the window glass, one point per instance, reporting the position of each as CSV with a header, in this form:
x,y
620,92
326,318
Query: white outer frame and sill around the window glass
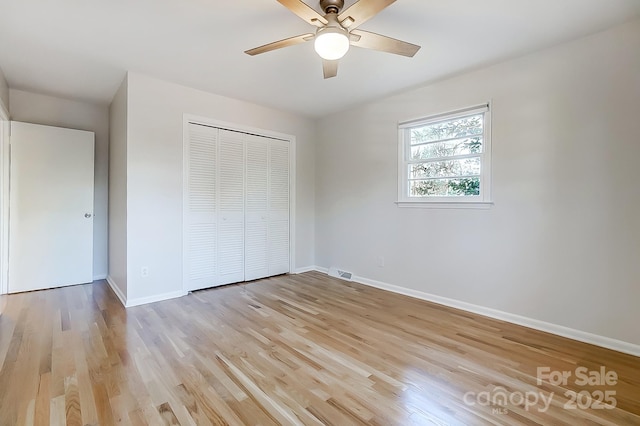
x,y
404,148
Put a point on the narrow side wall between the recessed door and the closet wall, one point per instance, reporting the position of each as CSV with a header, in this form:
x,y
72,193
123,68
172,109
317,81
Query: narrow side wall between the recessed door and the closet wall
x,y
118,189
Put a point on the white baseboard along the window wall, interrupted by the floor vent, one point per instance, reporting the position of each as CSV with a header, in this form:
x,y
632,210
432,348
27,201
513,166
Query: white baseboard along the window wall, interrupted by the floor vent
x,y
582,336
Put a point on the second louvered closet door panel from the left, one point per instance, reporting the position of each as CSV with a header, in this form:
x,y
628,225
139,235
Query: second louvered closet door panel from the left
x,y
231,174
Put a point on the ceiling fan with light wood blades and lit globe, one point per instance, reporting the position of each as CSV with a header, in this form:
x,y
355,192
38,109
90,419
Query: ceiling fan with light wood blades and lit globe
x,y
337,31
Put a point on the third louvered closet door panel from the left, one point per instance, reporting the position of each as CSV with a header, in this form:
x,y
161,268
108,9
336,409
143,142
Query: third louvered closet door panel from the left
x,y
256,208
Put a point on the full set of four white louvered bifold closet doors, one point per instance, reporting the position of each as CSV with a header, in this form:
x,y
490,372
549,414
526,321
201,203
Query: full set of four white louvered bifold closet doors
x,y
236,206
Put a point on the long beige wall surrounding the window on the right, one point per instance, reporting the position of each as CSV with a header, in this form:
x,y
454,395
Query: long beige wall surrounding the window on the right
x,y
562,242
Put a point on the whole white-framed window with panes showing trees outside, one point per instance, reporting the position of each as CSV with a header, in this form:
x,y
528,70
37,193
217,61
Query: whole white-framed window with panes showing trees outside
x,y
445,159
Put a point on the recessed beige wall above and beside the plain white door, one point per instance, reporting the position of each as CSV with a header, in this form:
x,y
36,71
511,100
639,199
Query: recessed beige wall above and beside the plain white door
x,y
40,109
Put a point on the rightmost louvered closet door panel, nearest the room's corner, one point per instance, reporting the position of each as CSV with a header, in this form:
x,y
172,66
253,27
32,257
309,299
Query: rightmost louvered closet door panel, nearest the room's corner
x,y
278,207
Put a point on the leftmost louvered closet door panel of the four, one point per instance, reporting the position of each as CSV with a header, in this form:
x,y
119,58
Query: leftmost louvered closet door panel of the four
x,y
200,204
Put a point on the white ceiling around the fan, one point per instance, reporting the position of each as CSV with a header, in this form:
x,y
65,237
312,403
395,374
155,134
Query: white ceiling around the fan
x,y
81,48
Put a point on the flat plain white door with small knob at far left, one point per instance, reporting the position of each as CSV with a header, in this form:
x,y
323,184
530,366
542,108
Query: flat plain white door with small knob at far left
x,y
50,207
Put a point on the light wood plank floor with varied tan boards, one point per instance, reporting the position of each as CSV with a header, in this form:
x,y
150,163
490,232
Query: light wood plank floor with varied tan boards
x,y
303,349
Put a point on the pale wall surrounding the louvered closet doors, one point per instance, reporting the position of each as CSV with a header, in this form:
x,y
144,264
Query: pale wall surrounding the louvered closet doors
x,y
154,176
